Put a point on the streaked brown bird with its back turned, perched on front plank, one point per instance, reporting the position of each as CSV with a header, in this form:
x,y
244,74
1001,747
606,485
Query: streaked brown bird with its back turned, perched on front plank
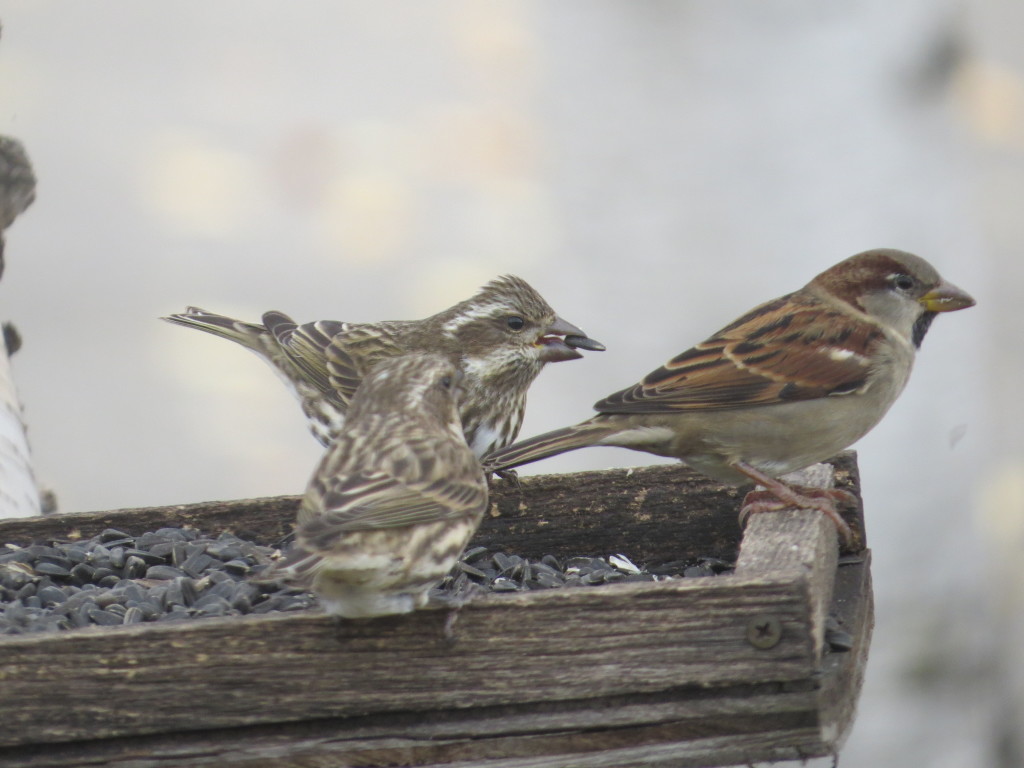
x,y
396,497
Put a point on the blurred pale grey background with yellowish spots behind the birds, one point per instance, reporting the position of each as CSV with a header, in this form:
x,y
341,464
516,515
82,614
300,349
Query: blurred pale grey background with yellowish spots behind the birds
x,y
655,168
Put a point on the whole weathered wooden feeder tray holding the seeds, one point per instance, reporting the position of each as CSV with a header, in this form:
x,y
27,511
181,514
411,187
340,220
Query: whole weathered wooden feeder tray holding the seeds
x,y
709,671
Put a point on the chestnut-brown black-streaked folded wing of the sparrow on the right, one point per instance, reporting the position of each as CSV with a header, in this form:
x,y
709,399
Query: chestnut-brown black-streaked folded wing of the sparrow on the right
x,y
793,349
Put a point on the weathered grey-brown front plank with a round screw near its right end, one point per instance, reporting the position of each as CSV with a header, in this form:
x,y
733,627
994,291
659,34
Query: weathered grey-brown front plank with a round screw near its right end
x,y
553,646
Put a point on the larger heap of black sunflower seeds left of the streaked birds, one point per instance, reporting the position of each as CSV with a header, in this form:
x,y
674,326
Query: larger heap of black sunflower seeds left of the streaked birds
x,y
115,579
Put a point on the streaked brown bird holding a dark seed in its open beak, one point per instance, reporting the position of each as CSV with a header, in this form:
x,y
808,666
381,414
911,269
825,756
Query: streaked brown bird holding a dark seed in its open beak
x,y
504,336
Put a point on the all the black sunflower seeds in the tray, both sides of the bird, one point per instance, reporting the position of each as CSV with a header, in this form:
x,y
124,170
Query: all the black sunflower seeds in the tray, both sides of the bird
x,y
180,574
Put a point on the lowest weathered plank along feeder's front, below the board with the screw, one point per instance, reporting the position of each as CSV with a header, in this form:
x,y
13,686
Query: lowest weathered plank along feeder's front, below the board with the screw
x,y
678,717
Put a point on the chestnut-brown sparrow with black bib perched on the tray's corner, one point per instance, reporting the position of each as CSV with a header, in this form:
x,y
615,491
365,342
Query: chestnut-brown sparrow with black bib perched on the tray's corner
x,y
787,386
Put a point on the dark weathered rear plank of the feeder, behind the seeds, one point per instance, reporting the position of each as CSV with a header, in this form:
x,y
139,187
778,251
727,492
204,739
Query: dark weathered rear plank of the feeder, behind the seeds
x,y
657,514
